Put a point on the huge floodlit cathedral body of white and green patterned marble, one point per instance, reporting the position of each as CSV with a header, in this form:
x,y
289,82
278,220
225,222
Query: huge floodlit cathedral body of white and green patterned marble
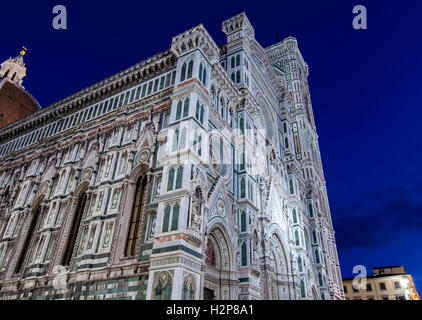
x,y
194,174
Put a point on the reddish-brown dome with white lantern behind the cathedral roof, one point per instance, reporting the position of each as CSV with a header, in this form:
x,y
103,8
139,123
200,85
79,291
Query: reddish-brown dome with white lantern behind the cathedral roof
x,y
15,102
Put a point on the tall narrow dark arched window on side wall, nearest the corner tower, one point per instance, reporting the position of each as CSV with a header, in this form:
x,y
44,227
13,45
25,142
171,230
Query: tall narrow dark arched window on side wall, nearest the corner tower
x,y
136,217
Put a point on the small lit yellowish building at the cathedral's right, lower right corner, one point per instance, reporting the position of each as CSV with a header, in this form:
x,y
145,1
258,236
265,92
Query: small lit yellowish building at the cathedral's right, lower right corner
x,y
386,283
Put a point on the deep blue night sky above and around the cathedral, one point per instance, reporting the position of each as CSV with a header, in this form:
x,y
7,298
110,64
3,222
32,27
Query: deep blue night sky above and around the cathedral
x,y
365,88
